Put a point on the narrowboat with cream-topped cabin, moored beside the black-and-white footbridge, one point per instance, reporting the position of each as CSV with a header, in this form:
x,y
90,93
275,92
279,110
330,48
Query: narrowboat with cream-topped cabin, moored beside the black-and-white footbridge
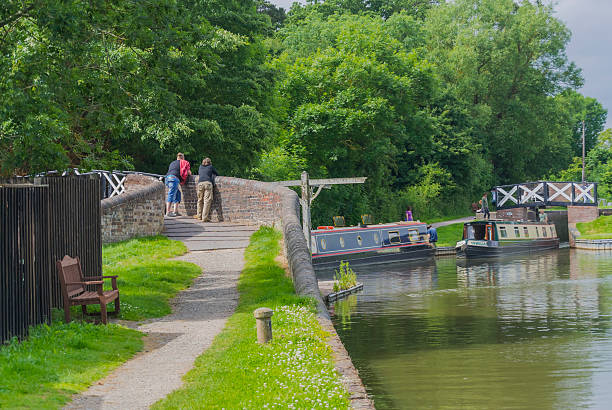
x,y
497,237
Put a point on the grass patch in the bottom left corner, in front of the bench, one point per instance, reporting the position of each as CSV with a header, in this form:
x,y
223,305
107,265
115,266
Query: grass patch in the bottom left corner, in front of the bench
x,y
59,360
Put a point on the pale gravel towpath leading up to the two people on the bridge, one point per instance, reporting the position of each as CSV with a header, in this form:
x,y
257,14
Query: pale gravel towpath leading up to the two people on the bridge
x,y
199,313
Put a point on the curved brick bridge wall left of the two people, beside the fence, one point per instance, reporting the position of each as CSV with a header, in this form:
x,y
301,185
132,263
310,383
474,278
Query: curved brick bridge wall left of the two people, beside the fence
x,y
137,212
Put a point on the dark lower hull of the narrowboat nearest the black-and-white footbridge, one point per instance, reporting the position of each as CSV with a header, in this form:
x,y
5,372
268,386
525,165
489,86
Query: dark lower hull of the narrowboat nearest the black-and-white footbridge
x,y
483,249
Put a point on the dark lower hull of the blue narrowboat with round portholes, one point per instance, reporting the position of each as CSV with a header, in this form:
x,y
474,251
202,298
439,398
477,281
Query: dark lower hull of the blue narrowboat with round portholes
x,y
408,253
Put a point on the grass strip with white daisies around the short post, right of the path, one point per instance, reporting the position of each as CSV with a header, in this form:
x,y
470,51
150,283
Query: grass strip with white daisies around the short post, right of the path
x,y
294,370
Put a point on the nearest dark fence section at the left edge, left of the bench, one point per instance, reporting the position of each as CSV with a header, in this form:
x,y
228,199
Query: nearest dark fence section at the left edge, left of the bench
x,y
25,261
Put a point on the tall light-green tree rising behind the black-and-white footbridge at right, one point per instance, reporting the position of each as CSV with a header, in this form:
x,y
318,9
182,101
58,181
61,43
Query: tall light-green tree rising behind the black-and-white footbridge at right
x,y
504,60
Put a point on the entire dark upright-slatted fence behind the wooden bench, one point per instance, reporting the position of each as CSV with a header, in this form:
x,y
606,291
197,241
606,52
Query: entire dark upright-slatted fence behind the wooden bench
x,y
41,220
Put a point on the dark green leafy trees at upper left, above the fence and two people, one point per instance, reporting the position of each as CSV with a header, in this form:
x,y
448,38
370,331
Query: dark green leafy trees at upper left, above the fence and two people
x,y
109,83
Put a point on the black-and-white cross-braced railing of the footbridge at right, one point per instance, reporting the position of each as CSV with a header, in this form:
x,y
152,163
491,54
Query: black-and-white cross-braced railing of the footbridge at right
x,y
545,193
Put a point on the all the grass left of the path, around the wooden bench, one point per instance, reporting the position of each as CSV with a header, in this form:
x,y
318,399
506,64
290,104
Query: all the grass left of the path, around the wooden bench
x,y
56,361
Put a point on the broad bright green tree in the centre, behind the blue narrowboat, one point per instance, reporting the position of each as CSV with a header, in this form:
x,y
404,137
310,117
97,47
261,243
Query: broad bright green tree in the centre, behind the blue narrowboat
x,y
361,101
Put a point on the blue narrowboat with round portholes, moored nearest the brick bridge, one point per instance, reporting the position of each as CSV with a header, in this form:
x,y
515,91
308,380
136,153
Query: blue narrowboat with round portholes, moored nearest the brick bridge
x,y
400,241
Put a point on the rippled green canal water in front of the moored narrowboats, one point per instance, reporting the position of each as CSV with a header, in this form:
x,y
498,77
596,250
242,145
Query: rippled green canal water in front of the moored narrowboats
x,y
531,331
